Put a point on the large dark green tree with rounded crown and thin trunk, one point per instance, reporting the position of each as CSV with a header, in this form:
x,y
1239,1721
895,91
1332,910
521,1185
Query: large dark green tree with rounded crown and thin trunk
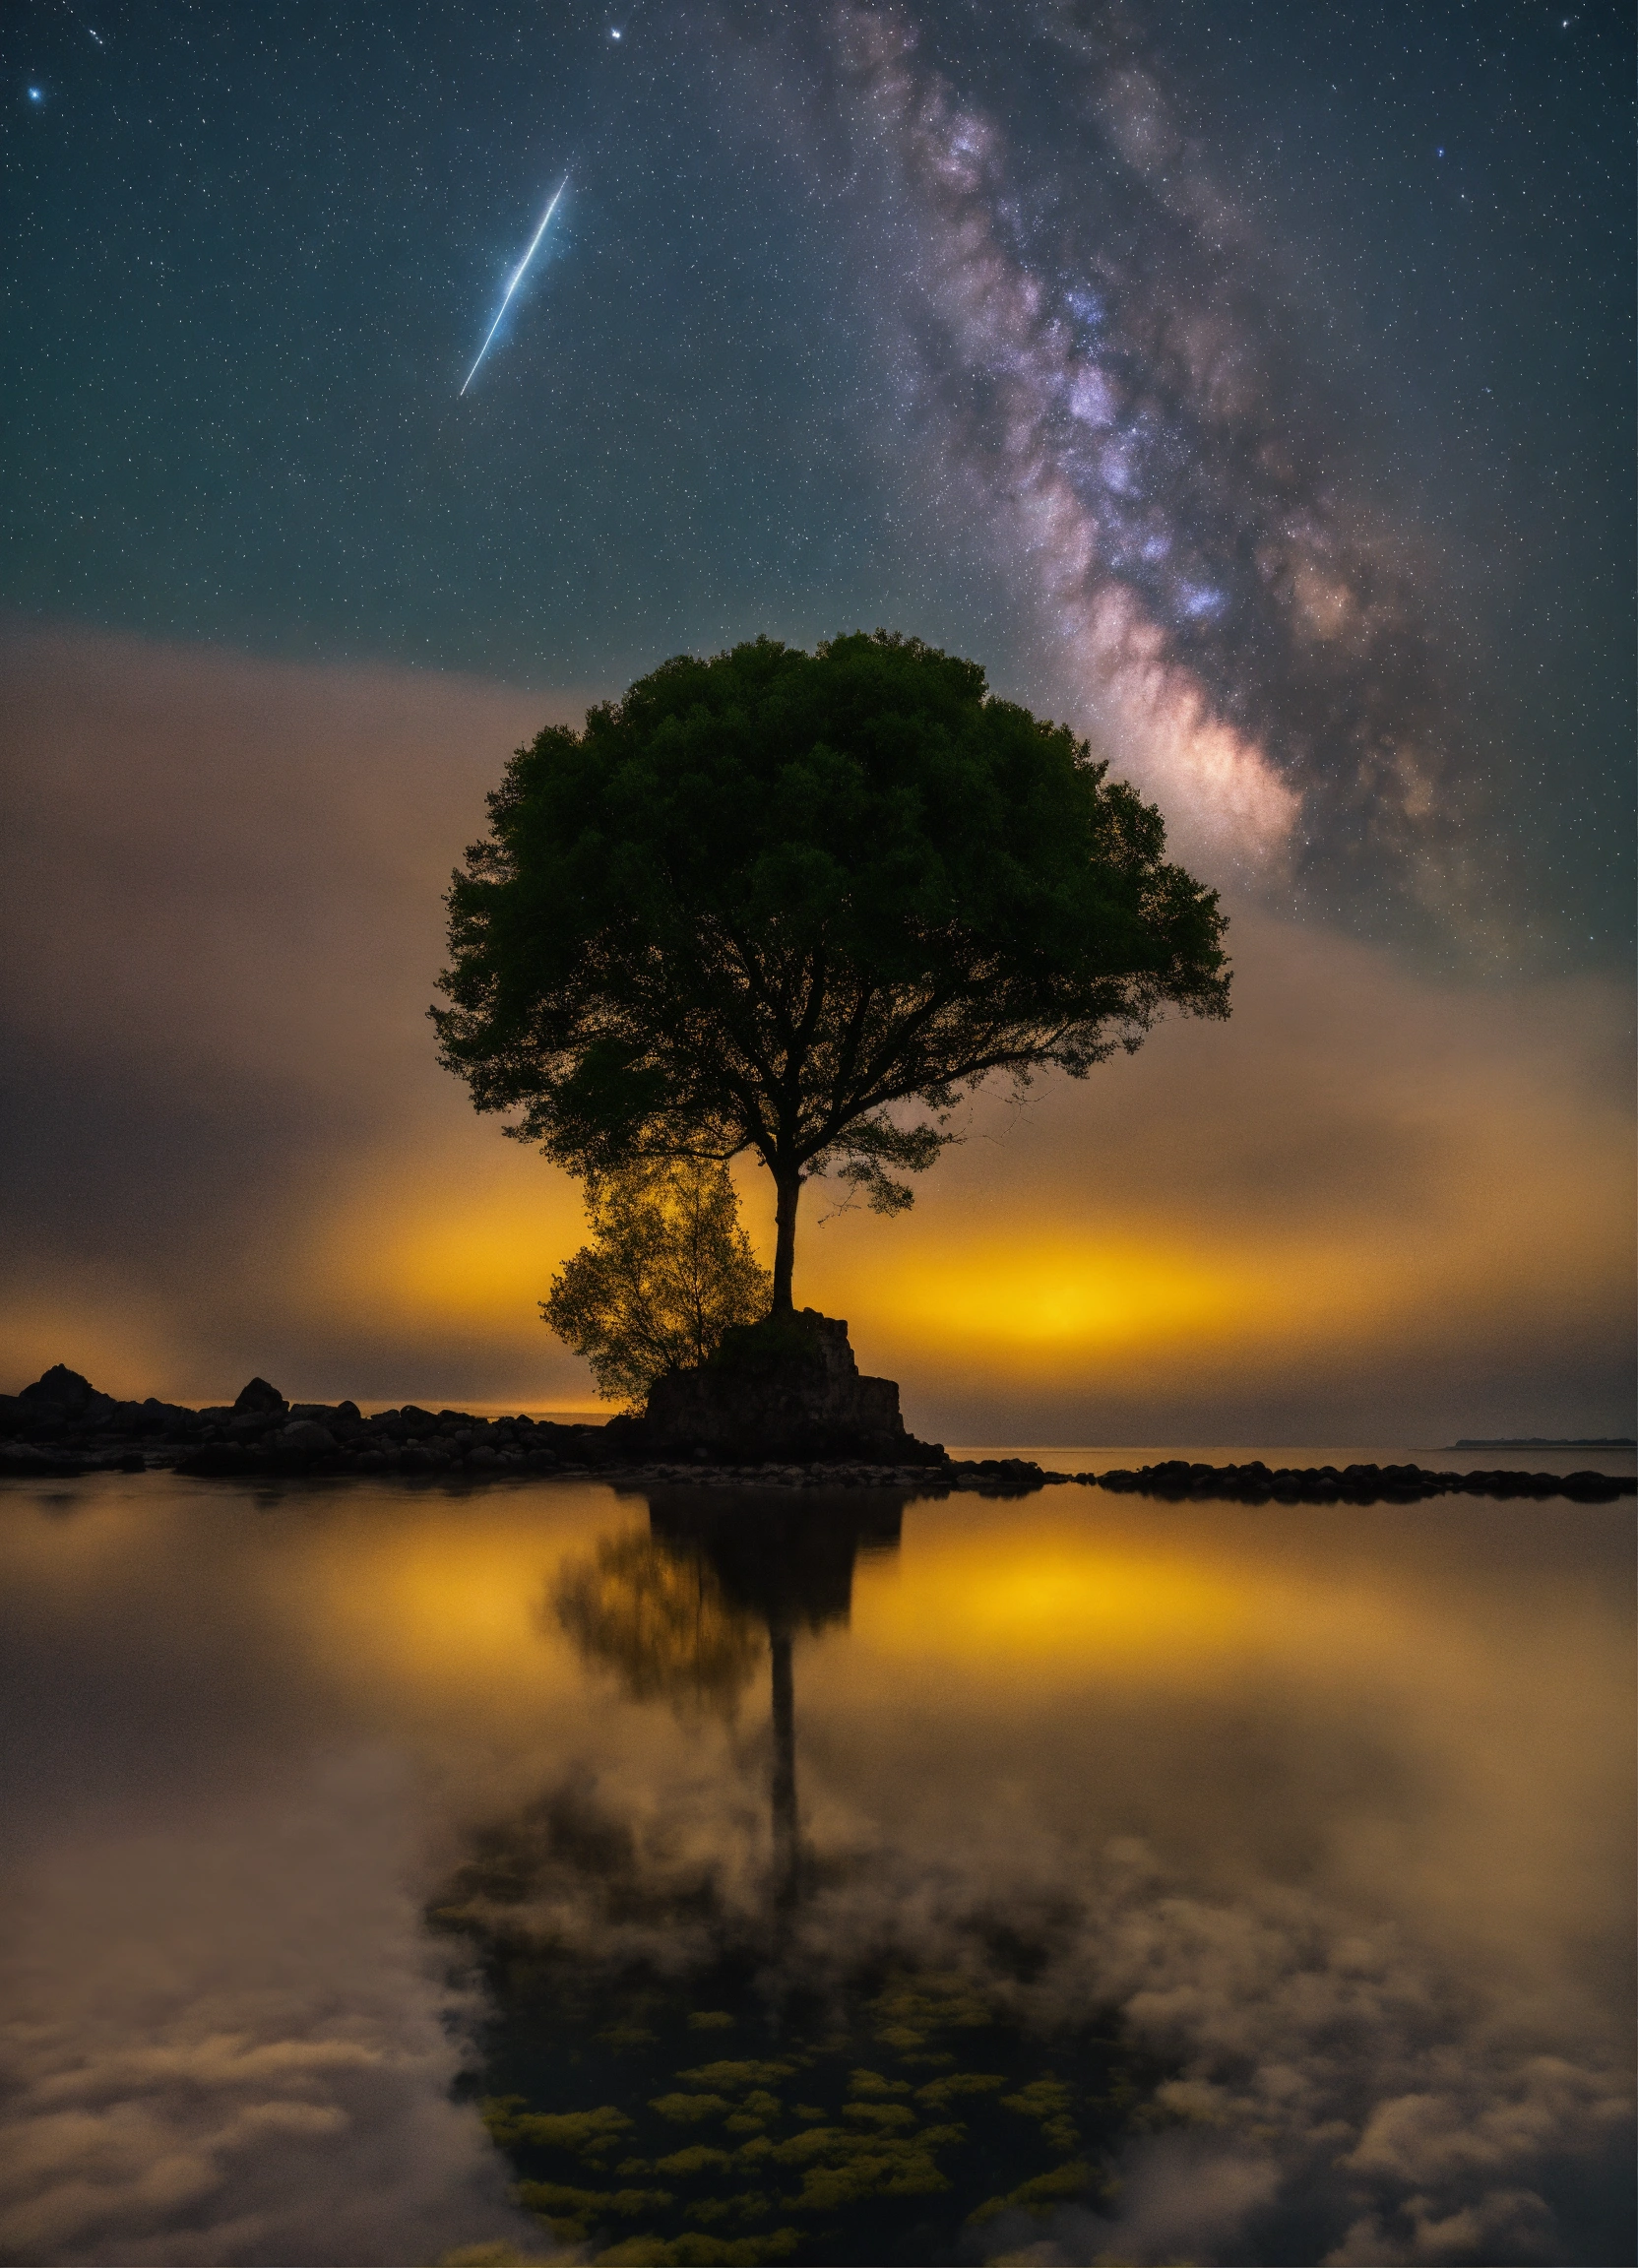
x,y
802,904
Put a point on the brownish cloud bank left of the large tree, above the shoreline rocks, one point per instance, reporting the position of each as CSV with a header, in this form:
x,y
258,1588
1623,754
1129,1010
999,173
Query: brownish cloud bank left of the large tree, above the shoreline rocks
x,y
228,1137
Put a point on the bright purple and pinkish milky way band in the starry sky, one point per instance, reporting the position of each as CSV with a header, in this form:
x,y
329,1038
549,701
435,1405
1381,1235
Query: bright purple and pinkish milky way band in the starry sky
x,y
1106,378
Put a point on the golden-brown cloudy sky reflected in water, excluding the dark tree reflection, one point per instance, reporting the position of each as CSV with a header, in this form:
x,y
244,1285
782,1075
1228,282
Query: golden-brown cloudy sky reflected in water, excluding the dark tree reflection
x,y
1333,1806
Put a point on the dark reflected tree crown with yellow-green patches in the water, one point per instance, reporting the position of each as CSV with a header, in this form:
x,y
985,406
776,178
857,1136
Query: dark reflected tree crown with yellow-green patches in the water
x,y
757,2106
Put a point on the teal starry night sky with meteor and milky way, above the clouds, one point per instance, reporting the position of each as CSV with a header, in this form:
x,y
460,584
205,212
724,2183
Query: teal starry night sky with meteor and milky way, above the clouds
x,y
1247,384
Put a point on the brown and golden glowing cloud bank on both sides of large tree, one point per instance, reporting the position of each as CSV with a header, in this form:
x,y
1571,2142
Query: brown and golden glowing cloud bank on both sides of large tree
x,y
1369,1203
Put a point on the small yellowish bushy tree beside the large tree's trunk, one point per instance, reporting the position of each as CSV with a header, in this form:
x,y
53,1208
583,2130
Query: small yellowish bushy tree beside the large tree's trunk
x,y
668,1271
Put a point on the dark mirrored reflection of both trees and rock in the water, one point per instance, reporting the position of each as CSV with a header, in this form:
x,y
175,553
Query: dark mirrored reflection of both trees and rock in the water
x,y
682,2076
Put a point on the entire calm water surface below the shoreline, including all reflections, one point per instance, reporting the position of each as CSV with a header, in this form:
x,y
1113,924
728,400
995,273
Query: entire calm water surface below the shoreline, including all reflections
x,y
816,1877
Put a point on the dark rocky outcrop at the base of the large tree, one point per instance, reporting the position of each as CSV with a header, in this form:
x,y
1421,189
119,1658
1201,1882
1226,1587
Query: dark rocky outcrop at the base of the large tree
x,y
784,1389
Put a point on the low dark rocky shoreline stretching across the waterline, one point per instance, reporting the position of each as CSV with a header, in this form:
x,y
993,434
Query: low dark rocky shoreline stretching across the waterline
x,y
62,1428
